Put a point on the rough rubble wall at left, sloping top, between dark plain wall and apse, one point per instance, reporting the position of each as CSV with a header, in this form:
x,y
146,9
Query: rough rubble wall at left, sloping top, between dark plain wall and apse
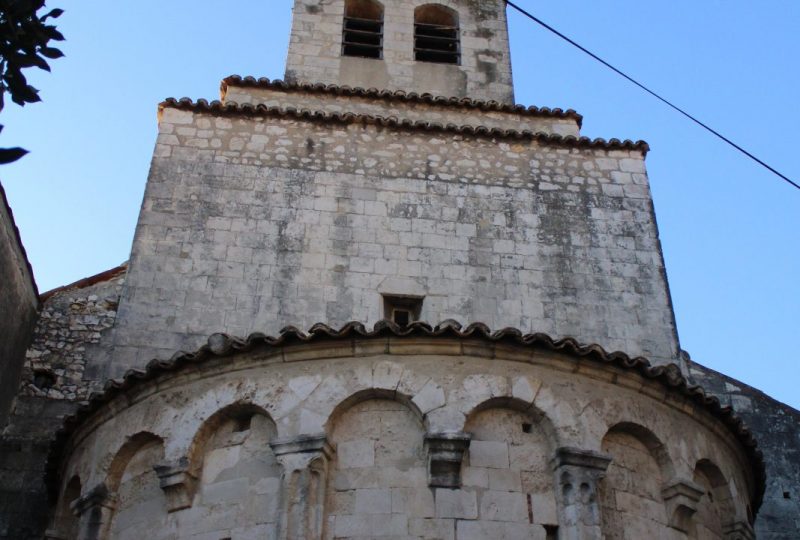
x,y
55,379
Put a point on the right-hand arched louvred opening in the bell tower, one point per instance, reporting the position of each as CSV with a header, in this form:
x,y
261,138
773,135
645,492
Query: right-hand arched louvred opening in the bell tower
x,y
436,35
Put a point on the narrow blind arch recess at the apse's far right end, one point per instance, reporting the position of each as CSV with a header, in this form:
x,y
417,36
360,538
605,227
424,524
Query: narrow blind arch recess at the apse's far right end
x,y
715,509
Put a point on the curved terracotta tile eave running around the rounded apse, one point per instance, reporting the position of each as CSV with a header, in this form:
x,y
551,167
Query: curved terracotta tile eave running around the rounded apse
x,y
222,345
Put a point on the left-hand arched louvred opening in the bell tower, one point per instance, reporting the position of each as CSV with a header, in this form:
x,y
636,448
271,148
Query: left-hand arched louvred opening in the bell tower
x,y
362,31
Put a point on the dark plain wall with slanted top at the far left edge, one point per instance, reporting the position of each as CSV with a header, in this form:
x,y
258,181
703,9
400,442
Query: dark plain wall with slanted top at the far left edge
x,y
18,305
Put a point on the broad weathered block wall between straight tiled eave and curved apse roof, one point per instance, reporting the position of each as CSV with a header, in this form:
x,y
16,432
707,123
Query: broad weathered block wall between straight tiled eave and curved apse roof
x,y
253,223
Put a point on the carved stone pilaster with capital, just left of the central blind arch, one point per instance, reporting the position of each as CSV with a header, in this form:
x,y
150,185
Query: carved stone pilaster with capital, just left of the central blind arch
x,y
305,462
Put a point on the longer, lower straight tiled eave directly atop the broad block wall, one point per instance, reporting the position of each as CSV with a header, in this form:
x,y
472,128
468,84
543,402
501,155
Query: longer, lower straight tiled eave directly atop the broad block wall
x,y
230,108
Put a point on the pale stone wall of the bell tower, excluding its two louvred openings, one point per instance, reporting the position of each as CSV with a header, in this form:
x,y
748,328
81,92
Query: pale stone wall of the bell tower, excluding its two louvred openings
x,y
484,73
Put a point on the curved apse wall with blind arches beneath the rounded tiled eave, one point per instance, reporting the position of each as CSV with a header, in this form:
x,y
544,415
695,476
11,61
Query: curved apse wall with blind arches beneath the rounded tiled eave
x,y
259,472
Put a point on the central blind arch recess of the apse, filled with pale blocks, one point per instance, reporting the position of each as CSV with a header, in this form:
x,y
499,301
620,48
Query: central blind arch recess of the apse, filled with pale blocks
x,y
378,474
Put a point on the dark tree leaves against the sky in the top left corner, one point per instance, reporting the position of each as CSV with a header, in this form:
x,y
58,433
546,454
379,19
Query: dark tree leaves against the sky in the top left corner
x,y
24,43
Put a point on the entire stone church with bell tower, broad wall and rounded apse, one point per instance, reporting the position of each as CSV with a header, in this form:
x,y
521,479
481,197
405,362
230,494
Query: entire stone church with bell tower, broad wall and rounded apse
x,y
413,310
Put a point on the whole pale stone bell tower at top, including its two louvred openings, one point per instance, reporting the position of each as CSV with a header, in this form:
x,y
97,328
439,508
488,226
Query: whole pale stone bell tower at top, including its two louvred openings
x,y
453,48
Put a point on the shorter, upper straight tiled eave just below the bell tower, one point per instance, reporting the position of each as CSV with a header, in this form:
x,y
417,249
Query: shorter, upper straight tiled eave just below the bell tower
x,y
397,95
